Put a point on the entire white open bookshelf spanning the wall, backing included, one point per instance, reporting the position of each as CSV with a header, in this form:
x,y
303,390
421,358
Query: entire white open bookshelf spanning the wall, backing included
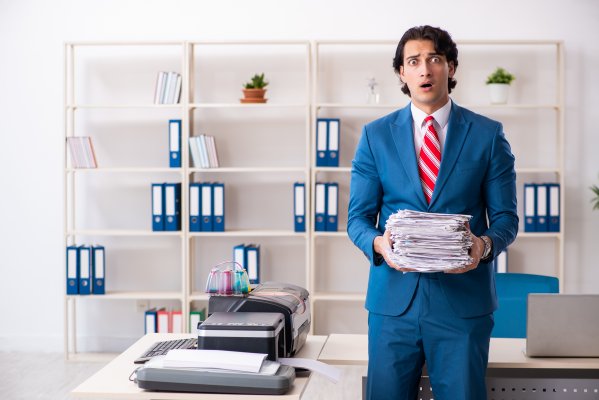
x,y
109,96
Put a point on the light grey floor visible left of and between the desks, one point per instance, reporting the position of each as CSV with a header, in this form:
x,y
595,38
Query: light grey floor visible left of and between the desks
x,y
49,376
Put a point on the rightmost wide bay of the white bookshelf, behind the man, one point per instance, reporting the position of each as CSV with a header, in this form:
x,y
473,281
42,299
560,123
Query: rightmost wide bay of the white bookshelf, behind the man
x,y
537,98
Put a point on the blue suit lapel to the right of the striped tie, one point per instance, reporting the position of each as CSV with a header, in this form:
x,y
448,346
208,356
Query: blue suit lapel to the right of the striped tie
x,y
457,131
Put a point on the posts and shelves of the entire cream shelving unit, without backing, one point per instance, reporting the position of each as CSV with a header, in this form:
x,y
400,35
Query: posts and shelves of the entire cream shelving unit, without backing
x,y
310,107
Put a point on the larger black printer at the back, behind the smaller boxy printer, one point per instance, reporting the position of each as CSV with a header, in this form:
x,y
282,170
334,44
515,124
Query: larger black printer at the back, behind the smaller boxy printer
x,y
290,300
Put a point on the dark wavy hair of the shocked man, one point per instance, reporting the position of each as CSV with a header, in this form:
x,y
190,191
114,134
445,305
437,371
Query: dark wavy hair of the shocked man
x,y
442,41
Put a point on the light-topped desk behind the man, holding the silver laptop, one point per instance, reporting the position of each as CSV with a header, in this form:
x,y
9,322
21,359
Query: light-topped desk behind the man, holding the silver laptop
x,y
510,372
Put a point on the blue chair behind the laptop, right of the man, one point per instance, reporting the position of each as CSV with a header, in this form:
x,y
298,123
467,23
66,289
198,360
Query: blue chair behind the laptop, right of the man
x,y
512,295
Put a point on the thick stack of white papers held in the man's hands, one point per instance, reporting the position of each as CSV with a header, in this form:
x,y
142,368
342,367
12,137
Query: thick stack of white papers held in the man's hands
x,y
429,242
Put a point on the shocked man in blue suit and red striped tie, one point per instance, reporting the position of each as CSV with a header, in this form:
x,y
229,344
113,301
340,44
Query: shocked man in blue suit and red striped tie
x,y
458,162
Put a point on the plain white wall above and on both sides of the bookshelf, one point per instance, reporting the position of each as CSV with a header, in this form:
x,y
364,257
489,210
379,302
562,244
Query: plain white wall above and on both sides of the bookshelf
x,y
31,125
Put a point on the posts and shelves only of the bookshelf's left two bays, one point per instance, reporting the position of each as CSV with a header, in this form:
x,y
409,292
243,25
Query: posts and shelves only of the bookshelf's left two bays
x,y
185,296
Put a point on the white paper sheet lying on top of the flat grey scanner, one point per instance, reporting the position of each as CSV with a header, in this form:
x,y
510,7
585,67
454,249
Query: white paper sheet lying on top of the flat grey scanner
x,y
221,359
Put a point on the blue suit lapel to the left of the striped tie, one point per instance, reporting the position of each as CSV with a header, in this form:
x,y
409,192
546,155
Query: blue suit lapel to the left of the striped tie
x,y
402,131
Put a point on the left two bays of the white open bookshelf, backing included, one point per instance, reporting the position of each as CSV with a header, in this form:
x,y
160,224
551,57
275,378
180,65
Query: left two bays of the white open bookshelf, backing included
x,y
105,95
